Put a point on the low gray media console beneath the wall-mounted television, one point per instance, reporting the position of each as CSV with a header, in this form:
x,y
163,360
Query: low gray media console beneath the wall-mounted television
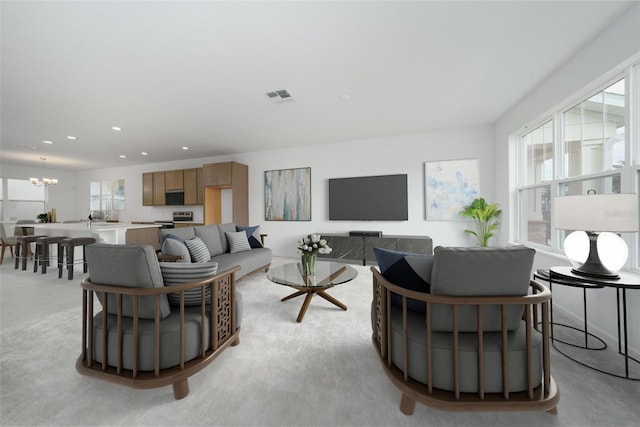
x,y
359,248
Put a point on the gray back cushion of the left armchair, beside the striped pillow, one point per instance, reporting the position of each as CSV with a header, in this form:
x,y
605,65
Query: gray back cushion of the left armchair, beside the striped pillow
x,y
132,266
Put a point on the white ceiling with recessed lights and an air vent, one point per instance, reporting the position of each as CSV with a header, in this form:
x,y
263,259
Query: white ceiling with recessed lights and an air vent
x,y
195,74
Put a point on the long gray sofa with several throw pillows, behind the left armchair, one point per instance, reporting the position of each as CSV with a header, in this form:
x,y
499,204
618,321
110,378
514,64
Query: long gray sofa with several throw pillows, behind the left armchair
x,y
225,244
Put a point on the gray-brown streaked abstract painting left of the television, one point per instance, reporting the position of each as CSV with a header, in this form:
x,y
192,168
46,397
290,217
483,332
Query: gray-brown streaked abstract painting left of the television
x,y
287,195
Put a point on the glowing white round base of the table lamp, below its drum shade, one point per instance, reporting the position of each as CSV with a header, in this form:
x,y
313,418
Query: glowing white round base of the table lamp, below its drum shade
x,y
612,250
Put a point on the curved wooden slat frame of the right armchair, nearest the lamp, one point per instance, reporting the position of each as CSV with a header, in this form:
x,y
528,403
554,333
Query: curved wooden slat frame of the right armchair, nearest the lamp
x,y
542,398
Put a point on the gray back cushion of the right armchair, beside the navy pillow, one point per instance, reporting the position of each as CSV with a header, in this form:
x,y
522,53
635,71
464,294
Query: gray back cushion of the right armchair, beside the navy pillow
x,y
490,271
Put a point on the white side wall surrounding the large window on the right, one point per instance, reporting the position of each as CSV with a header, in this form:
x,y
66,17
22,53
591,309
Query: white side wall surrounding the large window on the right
x,y
618,44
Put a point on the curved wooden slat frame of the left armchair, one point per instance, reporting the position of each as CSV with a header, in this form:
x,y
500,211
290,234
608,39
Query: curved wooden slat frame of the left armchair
x,y
222,329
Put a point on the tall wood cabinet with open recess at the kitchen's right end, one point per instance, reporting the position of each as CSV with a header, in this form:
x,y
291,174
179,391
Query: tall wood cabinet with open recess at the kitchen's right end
x,y
226,176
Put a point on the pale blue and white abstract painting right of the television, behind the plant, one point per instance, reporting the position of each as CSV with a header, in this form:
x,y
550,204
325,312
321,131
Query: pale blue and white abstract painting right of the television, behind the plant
x,y
450,185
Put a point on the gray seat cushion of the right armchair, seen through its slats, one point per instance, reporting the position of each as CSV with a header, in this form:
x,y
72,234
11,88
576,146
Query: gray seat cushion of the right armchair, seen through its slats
x,y
443,364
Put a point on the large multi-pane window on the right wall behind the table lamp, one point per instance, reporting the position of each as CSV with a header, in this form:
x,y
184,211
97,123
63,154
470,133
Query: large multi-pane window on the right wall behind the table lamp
x,y
582,147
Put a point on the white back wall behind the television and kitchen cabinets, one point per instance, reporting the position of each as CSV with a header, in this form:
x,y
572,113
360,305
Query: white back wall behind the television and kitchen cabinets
x,y
379,156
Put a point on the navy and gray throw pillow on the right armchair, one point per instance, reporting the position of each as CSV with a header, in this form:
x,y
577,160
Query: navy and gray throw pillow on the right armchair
x,y
408,270
